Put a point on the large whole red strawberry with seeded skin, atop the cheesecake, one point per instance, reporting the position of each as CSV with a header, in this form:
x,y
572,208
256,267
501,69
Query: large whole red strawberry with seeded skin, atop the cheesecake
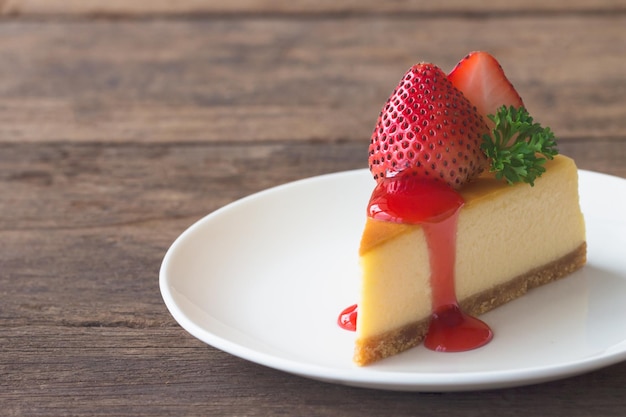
x,y
428,129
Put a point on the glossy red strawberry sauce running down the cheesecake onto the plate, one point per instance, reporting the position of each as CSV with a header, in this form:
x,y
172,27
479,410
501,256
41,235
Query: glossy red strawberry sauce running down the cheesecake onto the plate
x,y
435,206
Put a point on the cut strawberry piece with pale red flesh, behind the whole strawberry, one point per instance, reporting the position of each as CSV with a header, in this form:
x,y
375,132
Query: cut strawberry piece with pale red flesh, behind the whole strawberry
x,y
481,79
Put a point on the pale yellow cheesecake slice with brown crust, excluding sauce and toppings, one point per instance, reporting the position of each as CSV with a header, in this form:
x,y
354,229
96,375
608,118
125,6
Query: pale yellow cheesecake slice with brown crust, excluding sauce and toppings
x,y
509,239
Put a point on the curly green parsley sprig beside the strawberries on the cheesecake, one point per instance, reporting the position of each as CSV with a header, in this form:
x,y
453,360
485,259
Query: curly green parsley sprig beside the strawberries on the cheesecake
x,y
517,147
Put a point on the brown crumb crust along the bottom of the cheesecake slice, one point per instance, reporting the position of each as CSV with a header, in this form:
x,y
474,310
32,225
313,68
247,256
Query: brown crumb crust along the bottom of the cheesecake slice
x,y
395,341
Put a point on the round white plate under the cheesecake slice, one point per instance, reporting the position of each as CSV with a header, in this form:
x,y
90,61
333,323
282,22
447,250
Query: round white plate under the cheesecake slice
x,y
265,277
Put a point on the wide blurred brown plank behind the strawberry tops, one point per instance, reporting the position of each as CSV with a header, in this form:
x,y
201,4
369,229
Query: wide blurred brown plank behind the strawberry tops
x,y
277,79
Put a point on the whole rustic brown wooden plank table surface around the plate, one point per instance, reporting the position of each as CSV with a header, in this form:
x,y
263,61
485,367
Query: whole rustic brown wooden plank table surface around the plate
x,y
123,122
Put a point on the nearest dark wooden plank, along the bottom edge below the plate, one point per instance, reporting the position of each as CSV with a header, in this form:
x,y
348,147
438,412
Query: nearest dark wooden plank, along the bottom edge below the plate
x,y
119,371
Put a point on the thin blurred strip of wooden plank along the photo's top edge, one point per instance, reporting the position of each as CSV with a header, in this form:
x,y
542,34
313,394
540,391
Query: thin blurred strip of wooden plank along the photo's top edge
x,y
134,8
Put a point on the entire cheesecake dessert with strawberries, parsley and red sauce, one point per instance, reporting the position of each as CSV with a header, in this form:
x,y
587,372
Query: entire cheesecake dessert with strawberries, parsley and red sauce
x,y
472,207
